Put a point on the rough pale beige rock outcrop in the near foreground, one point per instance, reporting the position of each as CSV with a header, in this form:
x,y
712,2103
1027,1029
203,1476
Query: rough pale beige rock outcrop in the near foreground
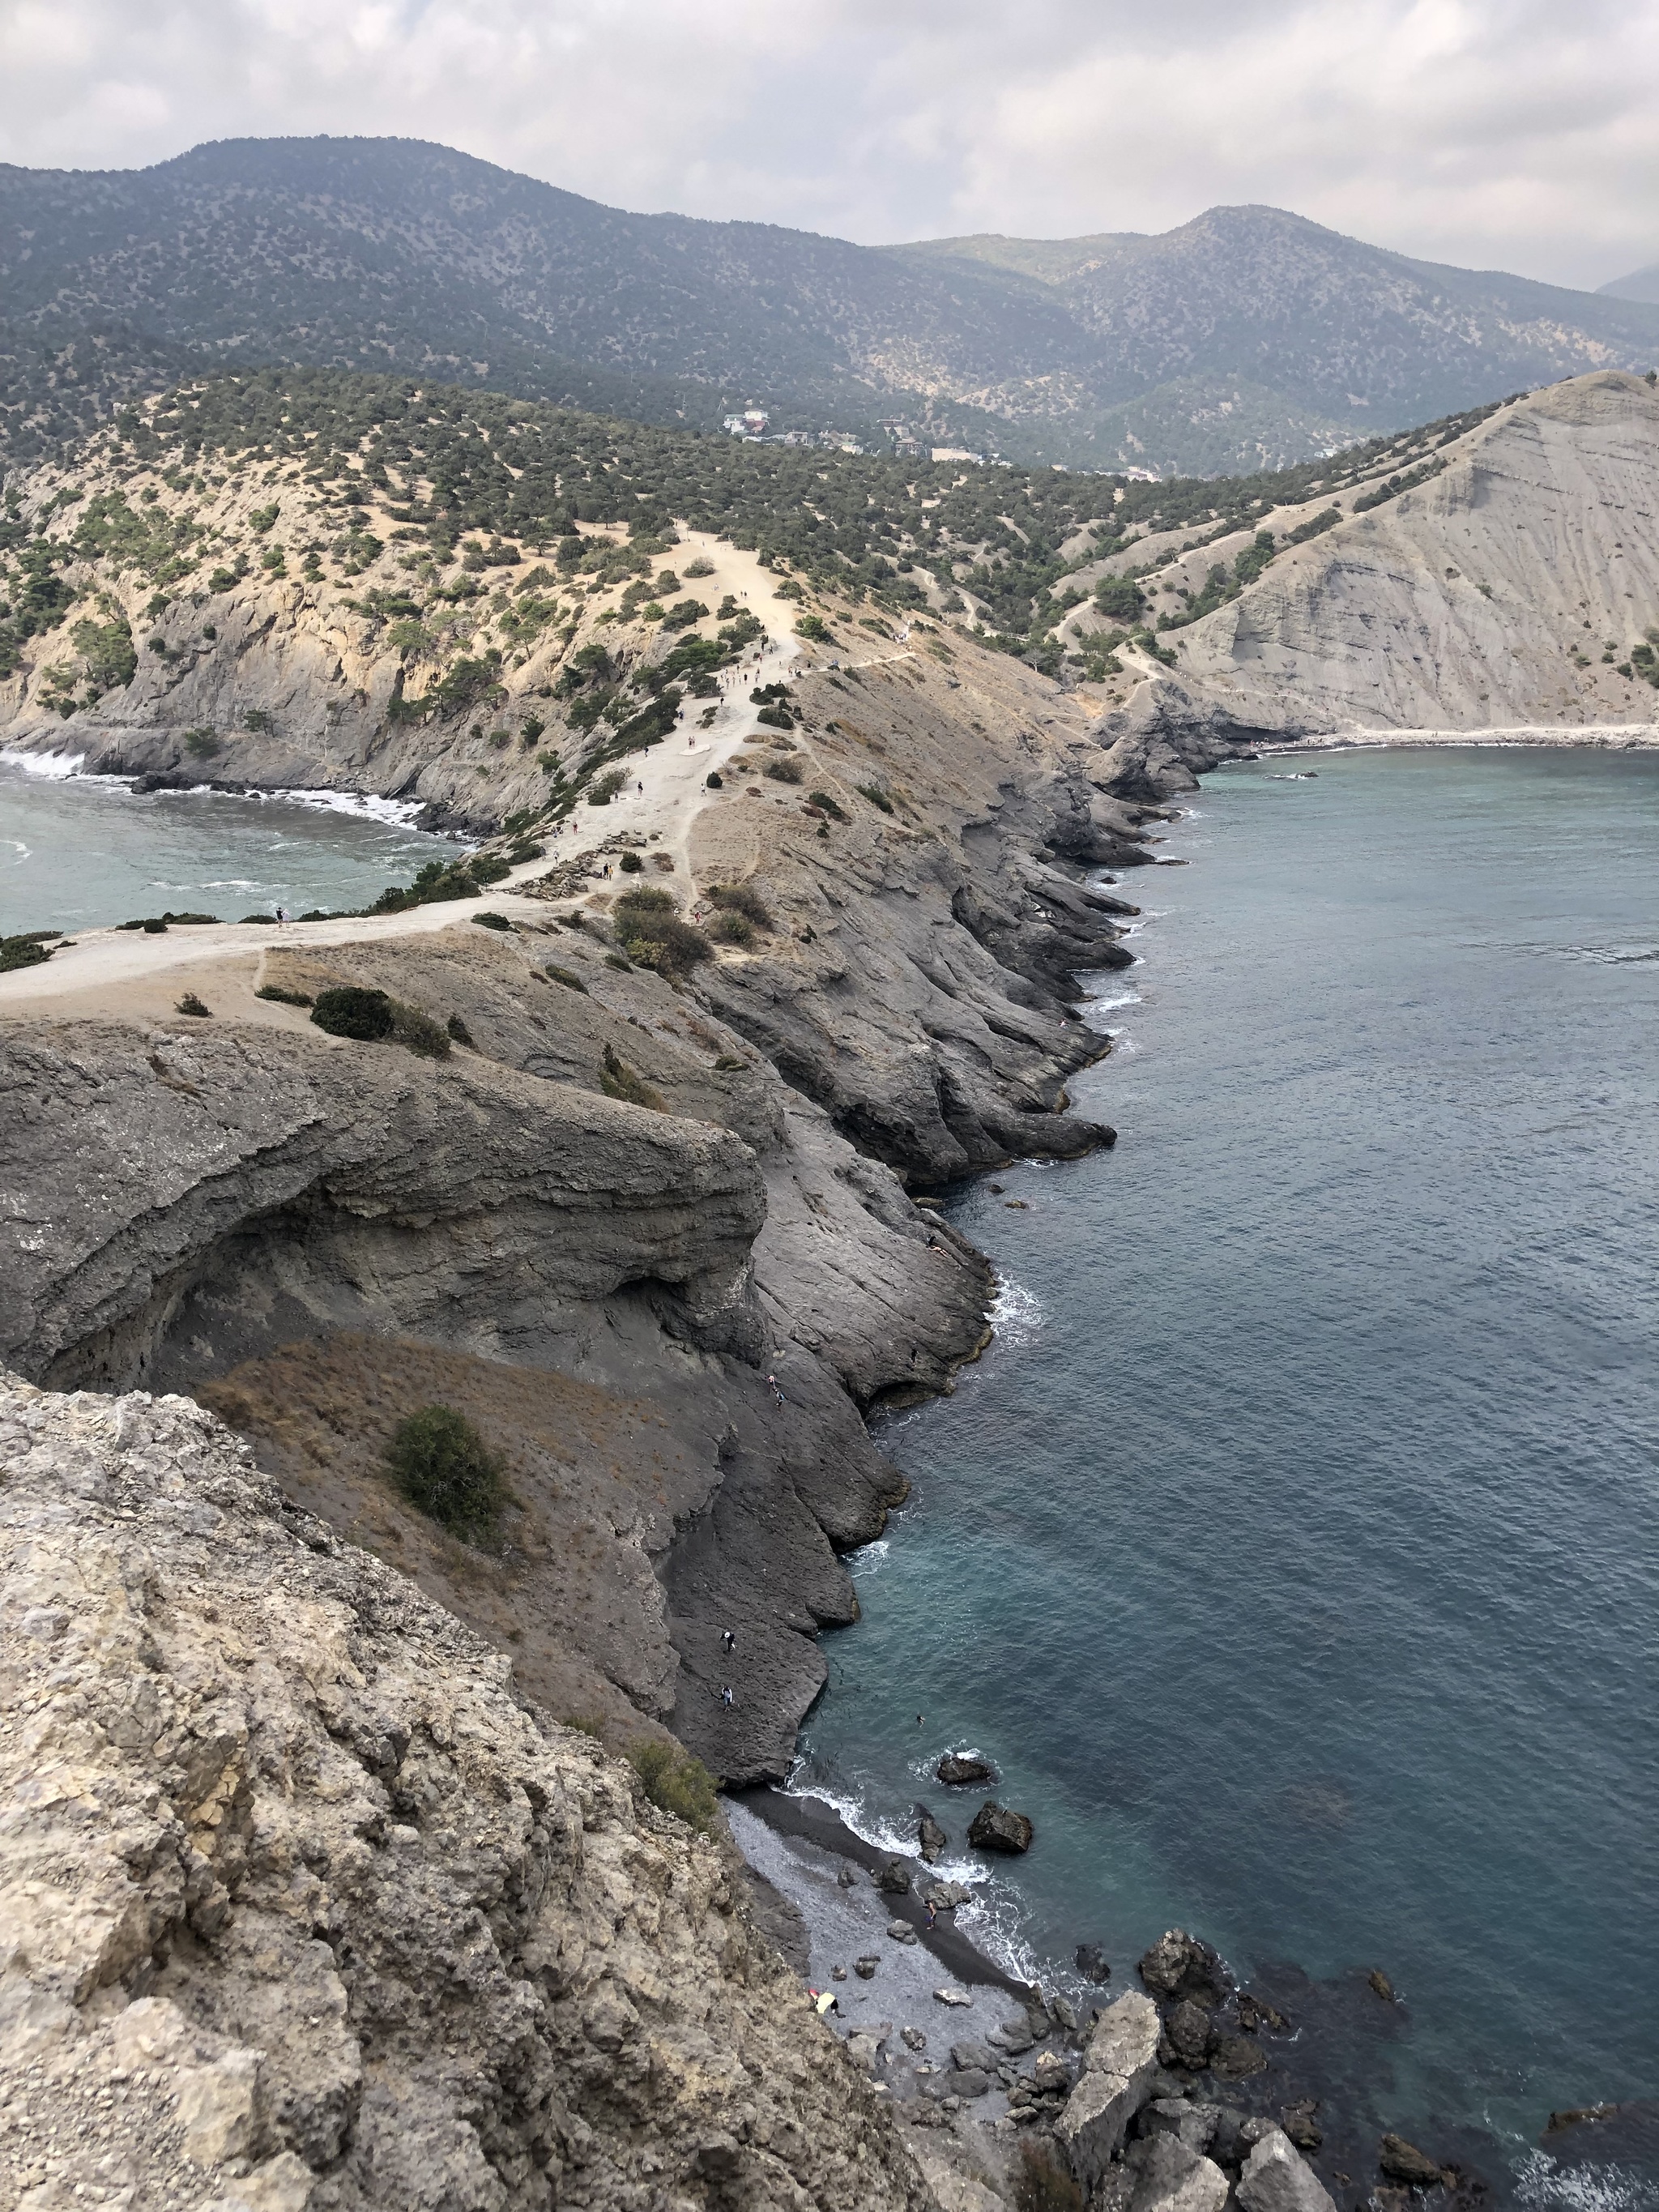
x,y
304,1910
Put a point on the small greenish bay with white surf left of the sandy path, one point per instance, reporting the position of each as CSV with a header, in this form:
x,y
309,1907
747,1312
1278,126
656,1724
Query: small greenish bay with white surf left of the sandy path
x,y
81,853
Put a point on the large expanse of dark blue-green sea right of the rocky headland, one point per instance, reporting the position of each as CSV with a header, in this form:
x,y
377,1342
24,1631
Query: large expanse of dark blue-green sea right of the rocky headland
x,y
1295,1547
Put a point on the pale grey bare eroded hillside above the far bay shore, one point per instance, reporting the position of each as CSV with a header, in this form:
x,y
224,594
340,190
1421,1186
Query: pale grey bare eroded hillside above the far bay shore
x,y
1507,589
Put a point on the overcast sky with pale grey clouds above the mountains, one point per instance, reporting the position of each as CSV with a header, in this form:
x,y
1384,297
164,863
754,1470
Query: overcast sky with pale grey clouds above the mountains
x,y
1496,134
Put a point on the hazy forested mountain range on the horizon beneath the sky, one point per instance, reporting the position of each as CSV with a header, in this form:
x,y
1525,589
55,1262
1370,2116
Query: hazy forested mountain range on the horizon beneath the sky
x,y
1244,340
